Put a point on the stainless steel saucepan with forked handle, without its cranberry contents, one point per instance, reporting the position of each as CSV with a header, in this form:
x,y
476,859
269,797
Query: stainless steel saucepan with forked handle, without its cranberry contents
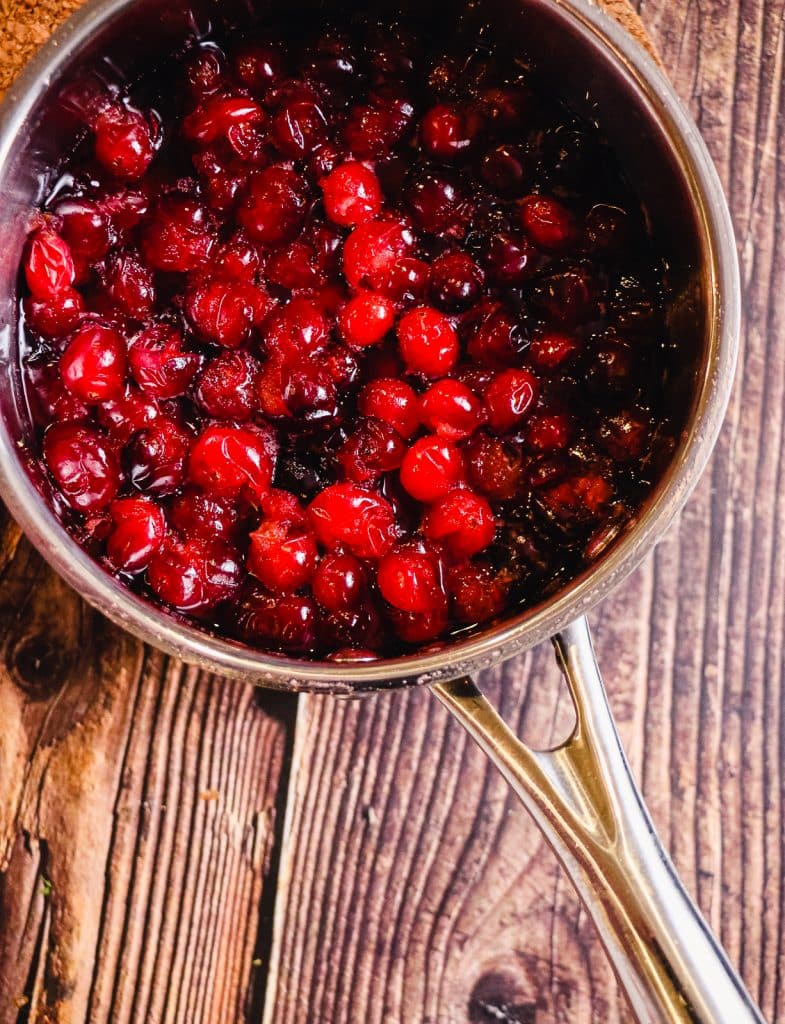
x,y
582,794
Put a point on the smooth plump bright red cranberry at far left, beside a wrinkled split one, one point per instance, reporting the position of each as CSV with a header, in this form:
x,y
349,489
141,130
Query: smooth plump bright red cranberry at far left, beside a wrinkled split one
x,y
94,366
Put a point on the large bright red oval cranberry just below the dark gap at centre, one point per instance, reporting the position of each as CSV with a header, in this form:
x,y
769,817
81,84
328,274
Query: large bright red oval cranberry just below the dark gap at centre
x,y
347,516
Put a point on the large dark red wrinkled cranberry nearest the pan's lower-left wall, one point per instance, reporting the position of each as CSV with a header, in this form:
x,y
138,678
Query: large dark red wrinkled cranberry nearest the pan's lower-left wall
x,y
83,464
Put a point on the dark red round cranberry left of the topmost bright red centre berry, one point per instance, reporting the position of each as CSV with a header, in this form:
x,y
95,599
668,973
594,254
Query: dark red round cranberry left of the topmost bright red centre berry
x,y
273,208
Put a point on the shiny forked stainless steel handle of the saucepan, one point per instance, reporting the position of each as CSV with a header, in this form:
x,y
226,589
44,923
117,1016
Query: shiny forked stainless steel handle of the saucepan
x,y
584,798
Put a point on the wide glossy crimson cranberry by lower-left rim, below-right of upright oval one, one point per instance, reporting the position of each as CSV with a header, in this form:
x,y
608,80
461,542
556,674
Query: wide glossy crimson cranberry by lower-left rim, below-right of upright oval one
x,y
195,575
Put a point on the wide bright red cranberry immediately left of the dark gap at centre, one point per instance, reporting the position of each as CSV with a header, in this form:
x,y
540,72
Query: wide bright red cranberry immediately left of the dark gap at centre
x,y
225,460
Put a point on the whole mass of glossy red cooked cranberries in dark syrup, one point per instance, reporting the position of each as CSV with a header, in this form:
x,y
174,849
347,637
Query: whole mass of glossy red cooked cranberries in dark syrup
x,y
341,347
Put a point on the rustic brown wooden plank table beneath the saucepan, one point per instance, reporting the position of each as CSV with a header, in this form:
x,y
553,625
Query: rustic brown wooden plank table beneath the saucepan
x,y
179,848
